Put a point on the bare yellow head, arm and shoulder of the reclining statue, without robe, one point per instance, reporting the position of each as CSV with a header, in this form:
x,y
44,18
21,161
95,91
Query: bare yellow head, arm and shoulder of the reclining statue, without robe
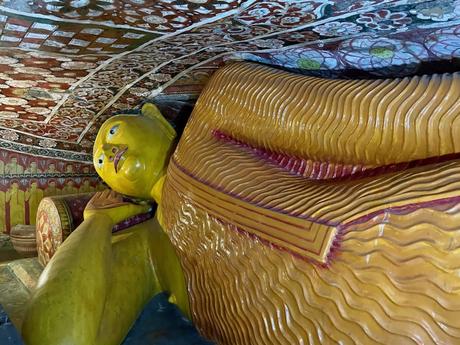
x,y
96,282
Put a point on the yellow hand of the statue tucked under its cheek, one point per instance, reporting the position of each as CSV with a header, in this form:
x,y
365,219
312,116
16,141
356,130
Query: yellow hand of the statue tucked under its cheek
x,y
111,204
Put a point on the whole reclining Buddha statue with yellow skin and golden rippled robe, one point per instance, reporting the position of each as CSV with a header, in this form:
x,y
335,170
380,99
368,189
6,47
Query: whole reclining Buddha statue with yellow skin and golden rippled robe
x,y
294,210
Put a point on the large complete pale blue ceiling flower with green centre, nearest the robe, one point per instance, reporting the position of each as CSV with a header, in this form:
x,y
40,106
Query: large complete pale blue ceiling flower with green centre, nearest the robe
x,y
374,54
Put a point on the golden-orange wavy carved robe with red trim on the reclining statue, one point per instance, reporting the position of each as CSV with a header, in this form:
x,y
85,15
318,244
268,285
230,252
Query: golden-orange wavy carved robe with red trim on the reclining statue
x,y
305,210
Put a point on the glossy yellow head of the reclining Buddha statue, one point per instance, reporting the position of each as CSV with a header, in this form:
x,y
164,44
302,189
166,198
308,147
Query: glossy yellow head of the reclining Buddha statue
x,y
131,152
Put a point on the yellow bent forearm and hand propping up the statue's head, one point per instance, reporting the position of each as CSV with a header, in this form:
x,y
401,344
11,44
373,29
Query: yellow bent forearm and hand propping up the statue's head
x,y
68,303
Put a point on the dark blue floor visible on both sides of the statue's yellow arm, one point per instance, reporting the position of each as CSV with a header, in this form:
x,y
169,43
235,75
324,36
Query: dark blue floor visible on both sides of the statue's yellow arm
x,y
160,323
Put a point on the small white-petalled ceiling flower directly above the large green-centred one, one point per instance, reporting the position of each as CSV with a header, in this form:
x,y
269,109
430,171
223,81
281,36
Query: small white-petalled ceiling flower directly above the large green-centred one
x,y
384,20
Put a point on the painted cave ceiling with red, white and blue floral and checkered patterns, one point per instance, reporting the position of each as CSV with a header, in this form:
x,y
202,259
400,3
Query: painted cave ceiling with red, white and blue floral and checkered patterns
x,y
66,66
